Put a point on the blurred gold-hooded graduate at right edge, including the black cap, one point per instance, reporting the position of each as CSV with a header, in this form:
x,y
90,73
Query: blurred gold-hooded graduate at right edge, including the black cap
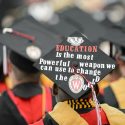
x,y
114,93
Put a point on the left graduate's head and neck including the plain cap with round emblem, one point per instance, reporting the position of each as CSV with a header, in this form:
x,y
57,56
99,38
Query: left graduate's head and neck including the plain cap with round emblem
x,y
27,42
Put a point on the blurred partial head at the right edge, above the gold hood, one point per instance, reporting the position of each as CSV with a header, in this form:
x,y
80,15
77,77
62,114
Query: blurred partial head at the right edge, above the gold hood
x,y
121,60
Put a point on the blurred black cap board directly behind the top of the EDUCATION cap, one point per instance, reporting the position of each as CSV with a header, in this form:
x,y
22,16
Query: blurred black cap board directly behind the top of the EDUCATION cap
x,y
93,30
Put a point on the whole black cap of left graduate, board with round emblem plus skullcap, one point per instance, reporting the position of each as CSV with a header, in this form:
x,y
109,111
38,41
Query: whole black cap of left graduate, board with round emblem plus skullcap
x,y
27,42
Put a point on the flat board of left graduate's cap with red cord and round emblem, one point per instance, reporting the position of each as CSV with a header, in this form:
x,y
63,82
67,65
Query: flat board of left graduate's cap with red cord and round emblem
x,y
20,40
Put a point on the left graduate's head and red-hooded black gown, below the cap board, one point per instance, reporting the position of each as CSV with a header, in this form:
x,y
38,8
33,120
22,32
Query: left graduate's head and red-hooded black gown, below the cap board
x,y
27,93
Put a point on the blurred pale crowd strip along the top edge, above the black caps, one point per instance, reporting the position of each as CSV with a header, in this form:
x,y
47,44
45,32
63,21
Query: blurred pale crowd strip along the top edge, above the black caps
x,y
103,11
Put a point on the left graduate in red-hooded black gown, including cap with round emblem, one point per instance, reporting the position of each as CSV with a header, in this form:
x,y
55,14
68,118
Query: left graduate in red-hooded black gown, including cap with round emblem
x,y
23,104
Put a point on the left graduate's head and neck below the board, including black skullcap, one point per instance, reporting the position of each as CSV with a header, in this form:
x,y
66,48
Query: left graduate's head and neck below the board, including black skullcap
x,y
21,69
